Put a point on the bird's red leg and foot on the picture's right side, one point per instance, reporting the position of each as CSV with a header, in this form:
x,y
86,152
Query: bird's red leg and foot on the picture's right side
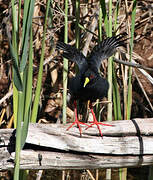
x,y
95,122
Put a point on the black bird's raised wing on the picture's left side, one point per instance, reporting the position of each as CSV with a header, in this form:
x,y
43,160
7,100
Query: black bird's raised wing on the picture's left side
x,y
73,54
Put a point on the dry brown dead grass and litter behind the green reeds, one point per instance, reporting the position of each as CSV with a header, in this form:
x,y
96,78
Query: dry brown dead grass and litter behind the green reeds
x,y
51,95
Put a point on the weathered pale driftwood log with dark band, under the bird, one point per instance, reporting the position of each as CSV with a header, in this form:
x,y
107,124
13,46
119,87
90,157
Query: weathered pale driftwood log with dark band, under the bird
x,y
49,146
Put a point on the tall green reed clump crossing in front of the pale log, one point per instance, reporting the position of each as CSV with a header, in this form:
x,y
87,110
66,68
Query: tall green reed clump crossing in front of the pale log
x,y
20,79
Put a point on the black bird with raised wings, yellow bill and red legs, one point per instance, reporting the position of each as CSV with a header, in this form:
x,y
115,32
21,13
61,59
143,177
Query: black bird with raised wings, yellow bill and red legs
x,y
88,83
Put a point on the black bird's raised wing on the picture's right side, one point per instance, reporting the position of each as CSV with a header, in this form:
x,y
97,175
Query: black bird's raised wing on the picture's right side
x,y
105,49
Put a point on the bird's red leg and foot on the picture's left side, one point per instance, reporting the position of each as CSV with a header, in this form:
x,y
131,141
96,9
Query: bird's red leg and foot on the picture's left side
x,y
76,120
